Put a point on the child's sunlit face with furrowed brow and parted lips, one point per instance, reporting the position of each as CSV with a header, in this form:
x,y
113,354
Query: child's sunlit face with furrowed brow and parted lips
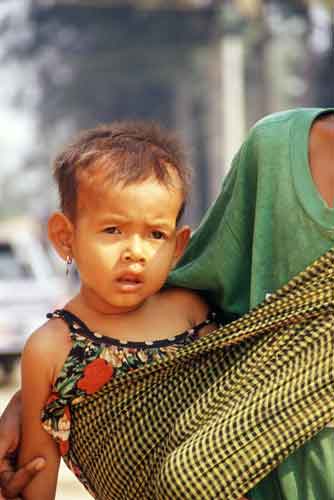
x,y
125,242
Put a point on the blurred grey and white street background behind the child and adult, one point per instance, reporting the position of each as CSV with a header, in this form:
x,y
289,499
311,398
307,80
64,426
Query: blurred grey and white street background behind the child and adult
x,y
207,68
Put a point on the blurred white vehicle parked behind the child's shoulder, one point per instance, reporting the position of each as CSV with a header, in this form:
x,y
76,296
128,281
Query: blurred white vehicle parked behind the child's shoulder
x,y
29,287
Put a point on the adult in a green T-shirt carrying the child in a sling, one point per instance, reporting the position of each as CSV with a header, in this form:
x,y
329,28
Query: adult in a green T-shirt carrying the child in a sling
x,y
273,217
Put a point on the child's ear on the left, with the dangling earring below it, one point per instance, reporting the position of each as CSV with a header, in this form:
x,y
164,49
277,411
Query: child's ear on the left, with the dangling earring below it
x,y
60,232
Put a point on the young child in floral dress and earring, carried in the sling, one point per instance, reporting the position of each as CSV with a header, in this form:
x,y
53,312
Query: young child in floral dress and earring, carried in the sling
x,y
123,189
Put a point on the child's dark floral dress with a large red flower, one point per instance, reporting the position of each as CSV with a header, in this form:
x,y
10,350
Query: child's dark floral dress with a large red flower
x,y
92,361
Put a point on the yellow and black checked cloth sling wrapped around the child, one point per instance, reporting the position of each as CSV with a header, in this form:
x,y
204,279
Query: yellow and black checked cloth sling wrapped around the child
x,y
229,408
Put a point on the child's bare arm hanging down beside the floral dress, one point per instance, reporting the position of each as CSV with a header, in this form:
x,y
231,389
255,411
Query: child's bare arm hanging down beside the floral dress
x,y
37,375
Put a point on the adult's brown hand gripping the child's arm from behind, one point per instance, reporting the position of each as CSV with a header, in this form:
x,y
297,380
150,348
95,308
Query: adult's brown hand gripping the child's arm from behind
x,y
12,481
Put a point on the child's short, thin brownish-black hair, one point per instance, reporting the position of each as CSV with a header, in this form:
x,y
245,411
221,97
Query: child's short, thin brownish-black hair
x,y
125,152
